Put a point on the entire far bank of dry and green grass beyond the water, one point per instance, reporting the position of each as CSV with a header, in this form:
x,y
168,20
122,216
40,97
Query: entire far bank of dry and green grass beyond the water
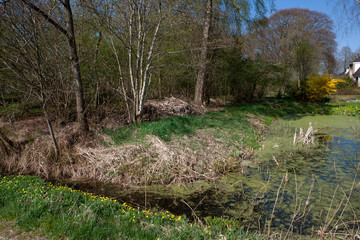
x,y
174,150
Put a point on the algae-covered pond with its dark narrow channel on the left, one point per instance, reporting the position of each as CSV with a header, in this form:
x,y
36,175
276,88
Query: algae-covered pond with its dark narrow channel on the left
x,y
290,189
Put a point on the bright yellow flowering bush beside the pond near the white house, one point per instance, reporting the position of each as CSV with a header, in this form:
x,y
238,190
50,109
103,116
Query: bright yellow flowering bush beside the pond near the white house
x,y
320,86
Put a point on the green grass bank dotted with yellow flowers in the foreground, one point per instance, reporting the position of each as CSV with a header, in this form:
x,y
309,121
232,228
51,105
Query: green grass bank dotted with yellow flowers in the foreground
x,y
60,212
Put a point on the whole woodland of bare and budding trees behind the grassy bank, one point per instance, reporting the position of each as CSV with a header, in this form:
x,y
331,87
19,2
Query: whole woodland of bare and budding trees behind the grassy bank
x,y
81,60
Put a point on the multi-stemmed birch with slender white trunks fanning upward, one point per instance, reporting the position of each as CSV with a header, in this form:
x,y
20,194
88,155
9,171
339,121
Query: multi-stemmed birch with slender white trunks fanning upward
x,y
132,29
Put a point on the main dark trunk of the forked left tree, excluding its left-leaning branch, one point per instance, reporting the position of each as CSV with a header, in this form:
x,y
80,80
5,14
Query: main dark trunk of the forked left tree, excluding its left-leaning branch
x,y
75,67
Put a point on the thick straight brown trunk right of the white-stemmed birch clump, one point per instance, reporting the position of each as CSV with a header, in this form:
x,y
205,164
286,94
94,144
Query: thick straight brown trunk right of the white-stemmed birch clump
x,y
200,80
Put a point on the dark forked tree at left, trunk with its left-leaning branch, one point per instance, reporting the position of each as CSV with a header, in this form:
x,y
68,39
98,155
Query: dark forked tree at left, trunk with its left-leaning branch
x,y
74,60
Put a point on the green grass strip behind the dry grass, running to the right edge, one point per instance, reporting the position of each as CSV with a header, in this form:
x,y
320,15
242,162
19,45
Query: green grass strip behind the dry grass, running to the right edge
x,y
231,120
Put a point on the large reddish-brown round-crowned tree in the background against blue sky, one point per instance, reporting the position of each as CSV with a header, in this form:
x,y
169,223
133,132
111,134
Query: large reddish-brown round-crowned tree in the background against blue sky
x,y
300,40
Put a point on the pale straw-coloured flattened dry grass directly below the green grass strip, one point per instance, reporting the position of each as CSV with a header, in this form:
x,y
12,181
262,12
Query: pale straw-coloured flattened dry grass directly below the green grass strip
x,y
157,162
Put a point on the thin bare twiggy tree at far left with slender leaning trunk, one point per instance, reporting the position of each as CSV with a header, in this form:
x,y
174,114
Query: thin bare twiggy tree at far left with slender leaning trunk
x,y
23,54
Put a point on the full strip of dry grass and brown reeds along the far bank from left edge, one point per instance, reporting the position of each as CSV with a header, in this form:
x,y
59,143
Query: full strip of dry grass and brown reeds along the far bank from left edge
x,y
153,161
